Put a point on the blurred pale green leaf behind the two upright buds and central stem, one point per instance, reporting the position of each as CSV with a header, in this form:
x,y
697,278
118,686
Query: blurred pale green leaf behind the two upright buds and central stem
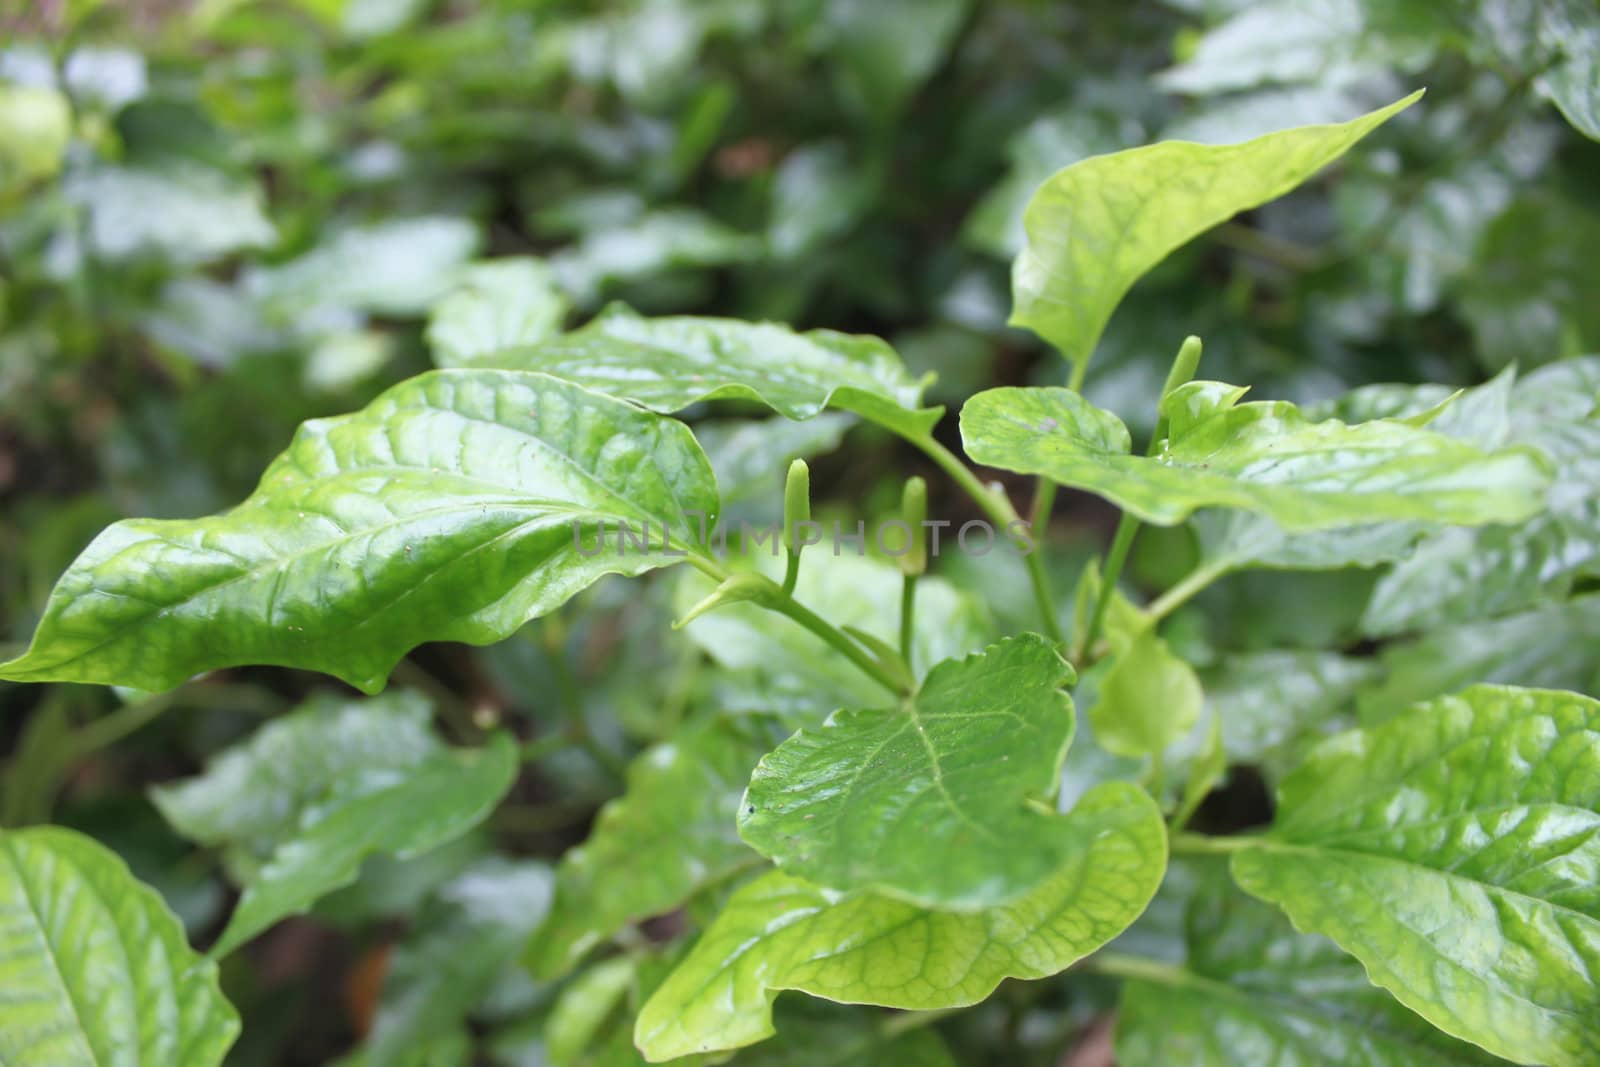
x,y
849,591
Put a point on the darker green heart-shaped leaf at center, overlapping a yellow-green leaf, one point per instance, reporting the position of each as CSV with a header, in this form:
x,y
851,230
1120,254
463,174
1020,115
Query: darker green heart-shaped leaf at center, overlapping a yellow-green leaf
x,y
929,802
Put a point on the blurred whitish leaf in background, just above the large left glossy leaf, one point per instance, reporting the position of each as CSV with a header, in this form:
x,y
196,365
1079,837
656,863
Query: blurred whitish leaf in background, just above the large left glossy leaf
x,y
396,268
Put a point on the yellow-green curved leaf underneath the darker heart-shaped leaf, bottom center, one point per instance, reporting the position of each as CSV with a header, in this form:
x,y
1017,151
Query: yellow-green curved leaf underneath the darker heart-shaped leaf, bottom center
x,y
783,933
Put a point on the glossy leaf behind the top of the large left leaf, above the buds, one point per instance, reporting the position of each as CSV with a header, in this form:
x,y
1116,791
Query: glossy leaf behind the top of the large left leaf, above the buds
x,y
670,364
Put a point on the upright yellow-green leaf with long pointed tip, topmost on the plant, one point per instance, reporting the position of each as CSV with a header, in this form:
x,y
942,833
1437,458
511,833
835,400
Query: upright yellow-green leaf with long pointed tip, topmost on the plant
x,y
1095,228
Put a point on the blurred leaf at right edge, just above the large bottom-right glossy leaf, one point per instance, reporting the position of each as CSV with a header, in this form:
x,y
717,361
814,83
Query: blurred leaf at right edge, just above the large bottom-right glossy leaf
x,y
1551,645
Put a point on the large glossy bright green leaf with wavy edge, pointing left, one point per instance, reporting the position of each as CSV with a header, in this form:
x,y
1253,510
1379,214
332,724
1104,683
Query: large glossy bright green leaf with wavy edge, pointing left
x,y
449,510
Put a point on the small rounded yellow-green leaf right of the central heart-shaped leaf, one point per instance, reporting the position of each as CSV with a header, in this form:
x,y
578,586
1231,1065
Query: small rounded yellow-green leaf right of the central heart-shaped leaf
x,y
1148,698
